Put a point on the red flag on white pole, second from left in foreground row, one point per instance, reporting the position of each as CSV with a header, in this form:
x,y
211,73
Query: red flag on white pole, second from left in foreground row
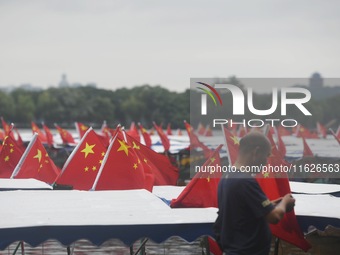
x,y
35,163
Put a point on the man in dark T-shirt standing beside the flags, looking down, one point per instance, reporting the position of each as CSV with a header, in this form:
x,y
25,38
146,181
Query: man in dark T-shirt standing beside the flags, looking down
x,y
242,225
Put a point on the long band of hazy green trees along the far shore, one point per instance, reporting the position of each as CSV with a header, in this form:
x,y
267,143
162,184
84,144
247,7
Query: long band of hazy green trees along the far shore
x,y
143,104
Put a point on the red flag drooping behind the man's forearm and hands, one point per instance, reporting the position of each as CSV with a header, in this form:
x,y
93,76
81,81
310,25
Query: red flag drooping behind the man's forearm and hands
x,y
288,228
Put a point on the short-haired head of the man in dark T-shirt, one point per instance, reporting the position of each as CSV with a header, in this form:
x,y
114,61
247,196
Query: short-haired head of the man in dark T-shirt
x,y
254,149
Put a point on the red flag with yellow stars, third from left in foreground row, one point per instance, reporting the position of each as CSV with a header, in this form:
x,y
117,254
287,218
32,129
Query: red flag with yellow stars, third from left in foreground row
x,y
81,168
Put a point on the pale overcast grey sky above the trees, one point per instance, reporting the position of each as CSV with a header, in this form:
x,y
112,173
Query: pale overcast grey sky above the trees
x,y
125,43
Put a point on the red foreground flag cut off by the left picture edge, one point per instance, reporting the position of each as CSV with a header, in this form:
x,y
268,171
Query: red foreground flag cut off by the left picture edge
x,y
9,156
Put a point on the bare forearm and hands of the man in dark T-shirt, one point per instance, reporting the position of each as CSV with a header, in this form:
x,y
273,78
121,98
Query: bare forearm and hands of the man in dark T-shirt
x,y
285,205
